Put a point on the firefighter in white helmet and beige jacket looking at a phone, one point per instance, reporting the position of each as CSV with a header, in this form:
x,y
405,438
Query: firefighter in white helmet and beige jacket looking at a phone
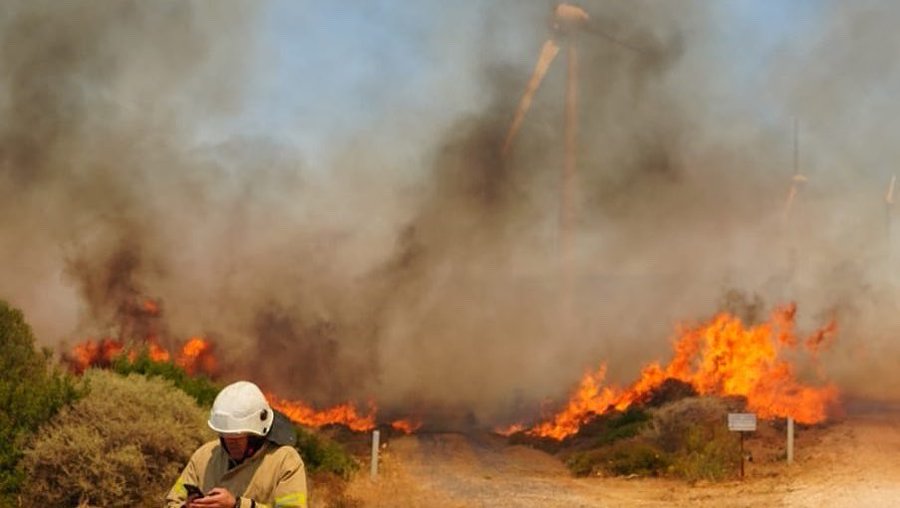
x,y
253,464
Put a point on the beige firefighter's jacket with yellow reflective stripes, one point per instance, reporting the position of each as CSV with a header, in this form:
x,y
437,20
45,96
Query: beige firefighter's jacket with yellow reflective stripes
x,y
273,477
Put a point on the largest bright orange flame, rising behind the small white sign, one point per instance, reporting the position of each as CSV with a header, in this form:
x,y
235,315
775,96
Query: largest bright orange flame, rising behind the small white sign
x,y
722,358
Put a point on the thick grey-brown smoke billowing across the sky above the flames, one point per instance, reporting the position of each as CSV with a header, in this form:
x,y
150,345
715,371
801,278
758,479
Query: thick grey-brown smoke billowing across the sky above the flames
x,y
414,265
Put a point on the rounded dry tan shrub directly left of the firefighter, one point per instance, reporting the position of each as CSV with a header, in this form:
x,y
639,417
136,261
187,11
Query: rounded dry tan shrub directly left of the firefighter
x,y
123,444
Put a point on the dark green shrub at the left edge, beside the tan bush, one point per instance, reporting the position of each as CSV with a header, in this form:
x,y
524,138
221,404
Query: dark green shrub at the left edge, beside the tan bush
x,y
32,390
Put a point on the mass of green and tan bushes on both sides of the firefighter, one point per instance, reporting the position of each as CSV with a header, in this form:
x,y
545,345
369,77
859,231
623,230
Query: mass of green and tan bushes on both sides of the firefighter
x,y
116,437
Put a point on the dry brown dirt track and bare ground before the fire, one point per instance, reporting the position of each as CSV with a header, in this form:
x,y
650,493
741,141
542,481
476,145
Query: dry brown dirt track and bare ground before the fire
x,y
853,462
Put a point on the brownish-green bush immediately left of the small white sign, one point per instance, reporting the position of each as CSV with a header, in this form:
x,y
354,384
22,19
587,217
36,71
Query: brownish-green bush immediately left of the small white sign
x,y
694,433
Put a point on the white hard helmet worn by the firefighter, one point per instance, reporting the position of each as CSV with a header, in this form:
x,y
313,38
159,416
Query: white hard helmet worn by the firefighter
x,y
241,407
